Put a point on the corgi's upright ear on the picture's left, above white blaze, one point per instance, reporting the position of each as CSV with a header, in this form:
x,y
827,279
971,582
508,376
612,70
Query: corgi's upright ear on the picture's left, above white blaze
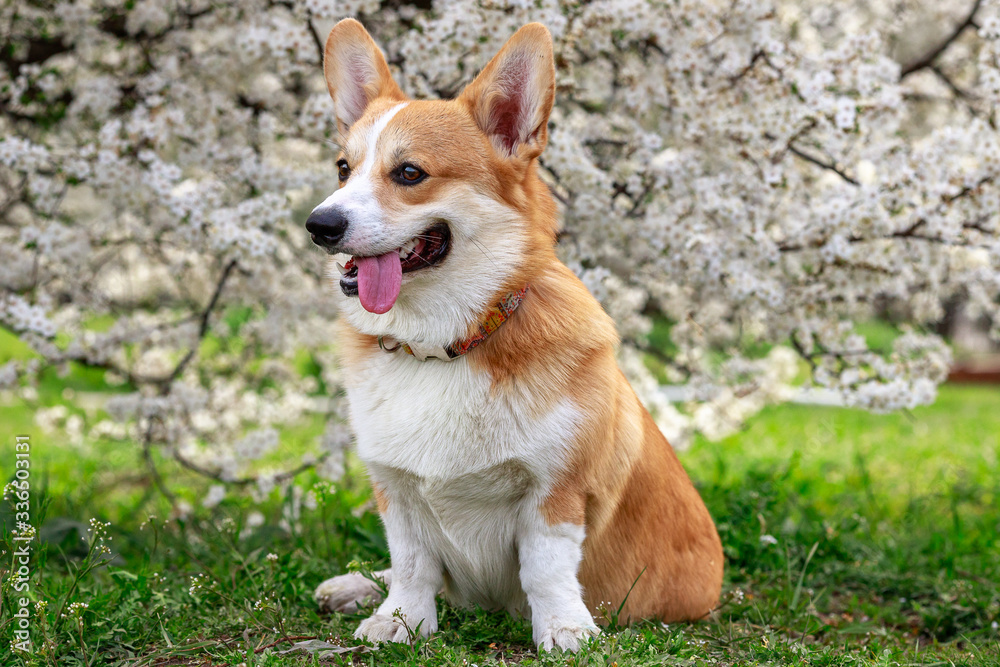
x,y
356,72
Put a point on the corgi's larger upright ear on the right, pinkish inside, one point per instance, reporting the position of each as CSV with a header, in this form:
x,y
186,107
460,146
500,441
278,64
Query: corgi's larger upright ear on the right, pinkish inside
x,y
512,97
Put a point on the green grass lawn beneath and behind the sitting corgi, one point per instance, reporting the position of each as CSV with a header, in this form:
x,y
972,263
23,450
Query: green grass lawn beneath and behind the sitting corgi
x,y
887,551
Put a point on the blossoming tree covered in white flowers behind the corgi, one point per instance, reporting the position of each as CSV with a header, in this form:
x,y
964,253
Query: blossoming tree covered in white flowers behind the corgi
x,y
752,174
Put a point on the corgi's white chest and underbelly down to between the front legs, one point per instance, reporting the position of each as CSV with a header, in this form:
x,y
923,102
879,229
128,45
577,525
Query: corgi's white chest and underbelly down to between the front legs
x,y
466,465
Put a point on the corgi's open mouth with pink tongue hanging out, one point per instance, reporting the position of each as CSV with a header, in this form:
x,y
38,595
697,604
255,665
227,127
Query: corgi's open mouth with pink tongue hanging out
x,y
376,280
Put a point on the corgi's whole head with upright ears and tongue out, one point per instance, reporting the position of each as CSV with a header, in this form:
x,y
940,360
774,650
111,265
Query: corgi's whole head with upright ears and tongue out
x,y
440,210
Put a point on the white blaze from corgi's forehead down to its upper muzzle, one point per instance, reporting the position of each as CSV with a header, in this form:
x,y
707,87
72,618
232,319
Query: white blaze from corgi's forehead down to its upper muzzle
x,y
357,201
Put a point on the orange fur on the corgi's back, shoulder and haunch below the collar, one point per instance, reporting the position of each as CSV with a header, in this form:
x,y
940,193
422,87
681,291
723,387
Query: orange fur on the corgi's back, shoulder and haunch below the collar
x,y
642,514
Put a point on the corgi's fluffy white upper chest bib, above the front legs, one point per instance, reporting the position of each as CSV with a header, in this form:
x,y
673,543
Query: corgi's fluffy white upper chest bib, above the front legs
x,y
439,420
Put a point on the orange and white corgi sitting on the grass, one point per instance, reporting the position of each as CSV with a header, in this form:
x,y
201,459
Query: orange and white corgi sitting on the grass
x,y
512,464
